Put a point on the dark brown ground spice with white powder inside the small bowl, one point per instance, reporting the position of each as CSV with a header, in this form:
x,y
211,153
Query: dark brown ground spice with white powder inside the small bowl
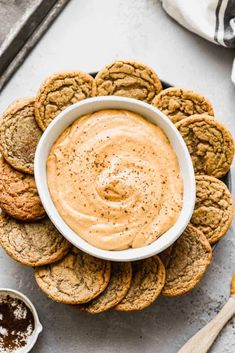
x,y
16,324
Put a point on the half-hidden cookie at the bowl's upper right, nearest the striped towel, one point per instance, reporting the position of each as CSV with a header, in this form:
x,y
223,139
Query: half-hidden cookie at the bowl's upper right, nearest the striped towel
x,y
179,103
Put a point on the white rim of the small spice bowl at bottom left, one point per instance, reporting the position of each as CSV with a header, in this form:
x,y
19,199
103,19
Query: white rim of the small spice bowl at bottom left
x,y
37,325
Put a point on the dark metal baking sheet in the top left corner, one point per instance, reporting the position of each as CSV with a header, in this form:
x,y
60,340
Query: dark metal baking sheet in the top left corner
x,y
22,24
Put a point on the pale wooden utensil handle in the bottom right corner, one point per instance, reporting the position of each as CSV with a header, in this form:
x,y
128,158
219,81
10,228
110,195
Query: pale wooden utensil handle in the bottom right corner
x,y
203,340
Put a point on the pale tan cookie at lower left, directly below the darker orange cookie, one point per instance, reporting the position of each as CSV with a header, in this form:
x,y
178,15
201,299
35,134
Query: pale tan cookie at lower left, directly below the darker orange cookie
x,y
32,244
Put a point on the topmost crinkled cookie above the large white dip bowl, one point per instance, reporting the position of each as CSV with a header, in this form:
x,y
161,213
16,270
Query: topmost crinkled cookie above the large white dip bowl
x,y
129,79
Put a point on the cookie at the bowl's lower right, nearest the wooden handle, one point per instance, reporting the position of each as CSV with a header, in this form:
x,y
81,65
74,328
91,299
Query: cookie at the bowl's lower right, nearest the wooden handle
x,y
190,257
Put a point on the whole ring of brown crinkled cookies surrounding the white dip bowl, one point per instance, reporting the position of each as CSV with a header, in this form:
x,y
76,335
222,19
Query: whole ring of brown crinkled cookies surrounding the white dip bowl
x,y
65,273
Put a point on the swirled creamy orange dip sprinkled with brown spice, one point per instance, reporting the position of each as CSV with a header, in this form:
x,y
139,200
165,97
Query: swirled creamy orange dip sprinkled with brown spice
x,y
115,180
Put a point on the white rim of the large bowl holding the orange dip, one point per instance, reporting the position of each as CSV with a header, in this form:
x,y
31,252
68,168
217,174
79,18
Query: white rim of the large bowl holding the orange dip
x,y
66,118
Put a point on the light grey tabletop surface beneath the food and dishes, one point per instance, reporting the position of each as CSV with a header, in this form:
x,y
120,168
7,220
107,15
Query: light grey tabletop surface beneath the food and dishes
x,y
87,35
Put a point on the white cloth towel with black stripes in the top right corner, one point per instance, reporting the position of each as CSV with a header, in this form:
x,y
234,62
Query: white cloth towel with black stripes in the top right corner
x,y
213,20
